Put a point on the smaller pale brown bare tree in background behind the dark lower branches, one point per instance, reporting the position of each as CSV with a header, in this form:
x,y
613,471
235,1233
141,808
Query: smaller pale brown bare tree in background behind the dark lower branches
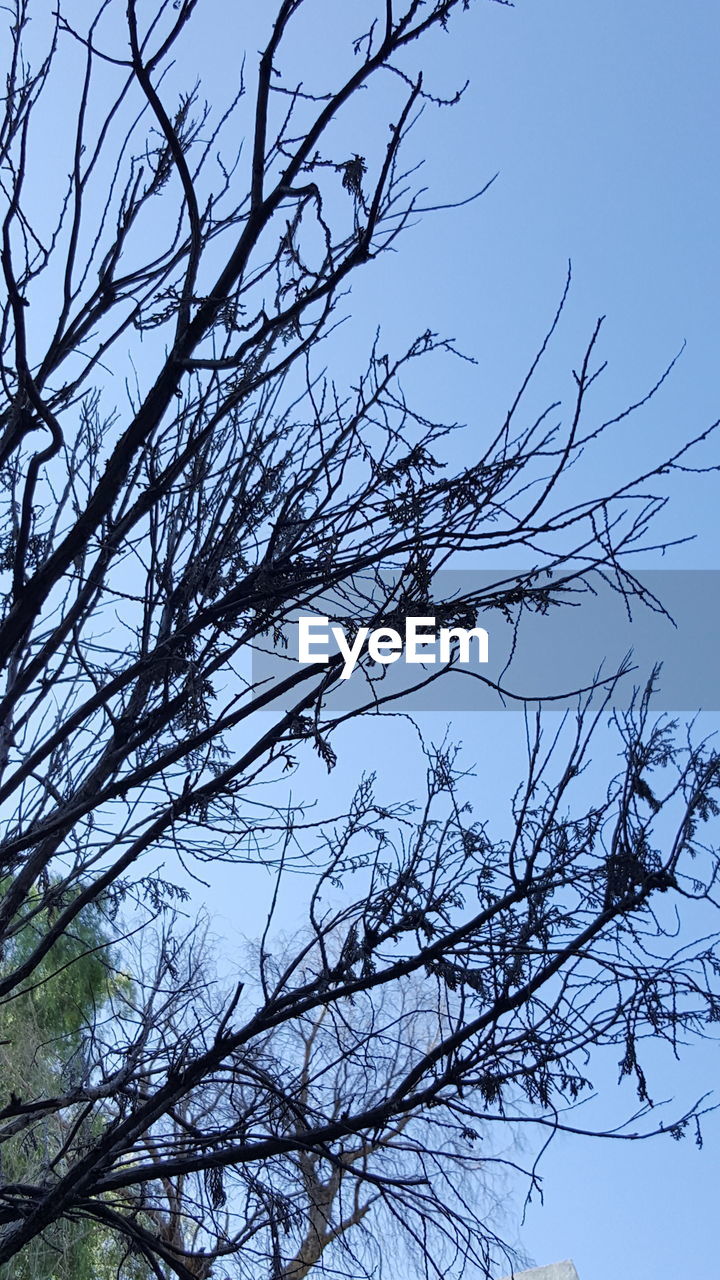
x,y
313,1206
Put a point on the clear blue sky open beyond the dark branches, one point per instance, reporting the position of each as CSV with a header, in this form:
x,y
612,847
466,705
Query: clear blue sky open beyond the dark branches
x,y
600,120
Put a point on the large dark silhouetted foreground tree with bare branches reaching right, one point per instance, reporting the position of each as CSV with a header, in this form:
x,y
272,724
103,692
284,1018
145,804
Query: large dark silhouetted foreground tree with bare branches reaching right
x,y
180,476
